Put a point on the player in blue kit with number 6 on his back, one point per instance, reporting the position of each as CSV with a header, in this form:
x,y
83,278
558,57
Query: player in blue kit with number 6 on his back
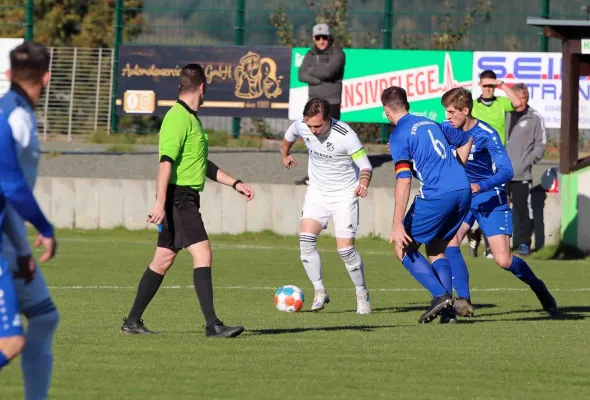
x,y
419,148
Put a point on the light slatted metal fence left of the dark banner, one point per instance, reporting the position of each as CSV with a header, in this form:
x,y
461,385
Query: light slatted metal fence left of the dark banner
x,y
77,100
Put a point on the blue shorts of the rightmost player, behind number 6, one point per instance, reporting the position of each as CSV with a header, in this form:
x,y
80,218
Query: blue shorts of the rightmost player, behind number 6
x,y
492,213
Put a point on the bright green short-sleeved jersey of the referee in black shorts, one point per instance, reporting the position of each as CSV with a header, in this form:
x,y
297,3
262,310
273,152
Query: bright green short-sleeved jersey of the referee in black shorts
x,y
183,140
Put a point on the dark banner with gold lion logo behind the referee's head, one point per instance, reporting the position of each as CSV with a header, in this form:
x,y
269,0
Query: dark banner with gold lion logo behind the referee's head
x,y
242,81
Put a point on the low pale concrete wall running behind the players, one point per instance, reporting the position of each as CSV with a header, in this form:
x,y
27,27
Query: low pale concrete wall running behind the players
x,y
107,203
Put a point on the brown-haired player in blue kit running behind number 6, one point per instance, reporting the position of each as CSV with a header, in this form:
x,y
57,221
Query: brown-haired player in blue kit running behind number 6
x,y
488,170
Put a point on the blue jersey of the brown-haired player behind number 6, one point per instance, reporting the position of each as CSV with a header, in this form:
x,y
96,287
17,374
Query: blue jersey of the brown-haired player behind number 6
x,y
488,164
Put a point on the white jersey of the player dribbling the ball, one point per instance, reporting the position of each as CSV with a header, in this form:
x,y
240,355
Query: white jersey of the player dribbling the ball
x,y
331,169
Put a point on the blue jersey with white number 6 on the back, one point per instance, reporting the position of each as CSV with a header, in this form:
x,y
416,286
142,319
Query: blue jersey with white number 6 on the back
x,y
420,148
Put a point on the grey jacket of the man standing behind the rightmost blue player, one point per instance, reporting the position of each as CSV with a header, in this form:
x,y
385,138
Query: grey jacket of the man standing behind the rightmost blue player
x,y
526,142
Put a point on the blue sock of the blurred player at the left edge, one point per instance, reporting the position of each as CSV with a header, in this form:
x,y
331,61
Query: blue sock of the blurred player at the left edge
x,y
37,355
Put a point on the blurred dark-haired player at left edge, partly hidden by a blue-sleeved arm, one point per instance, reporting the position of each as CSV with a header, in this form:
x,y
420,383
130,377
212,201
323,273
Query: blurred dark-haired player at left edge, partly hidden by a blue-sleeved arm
x,y
29,74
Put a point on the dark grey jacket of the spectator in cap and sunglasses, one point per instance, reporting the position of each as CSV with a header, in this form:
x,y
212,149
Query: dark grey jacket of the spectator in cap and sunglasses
x,y
323,71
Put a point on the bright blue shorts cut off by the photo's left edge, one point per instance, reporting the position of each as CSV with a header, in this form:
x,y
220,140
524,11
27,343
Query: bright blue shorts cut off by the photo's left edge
x,y
10,319
